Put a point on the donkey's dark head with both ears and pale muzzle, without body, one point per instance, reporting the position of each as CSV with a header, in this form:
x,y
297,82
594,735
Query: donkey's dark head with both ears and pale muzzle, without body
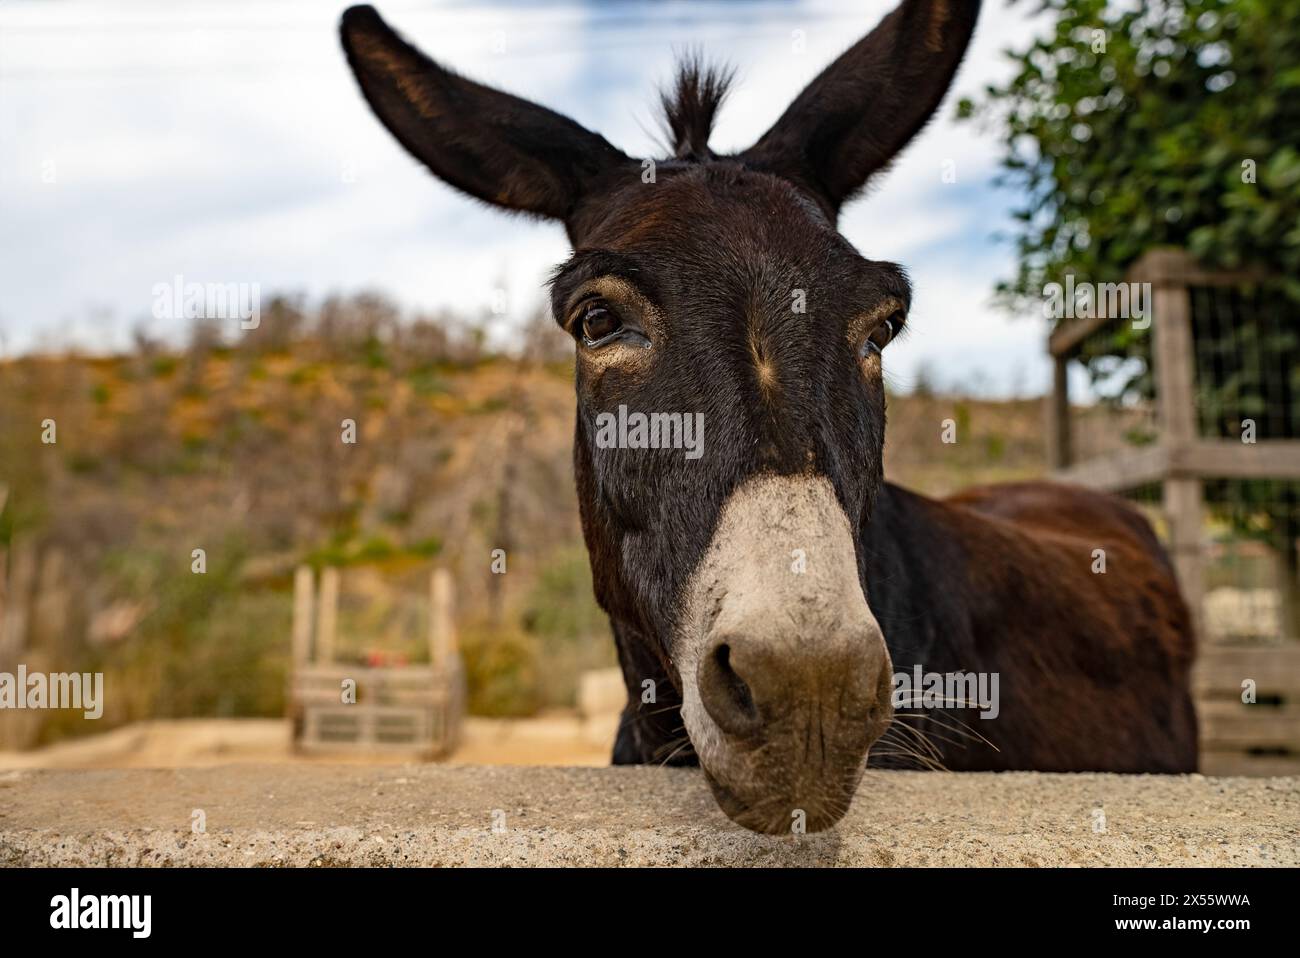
x,y
718,291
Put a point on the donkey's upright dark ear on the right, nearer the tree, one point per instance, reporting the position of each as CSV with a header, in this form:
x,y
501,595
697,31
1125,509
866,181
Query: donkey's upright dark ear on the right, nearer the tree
x,y
865,107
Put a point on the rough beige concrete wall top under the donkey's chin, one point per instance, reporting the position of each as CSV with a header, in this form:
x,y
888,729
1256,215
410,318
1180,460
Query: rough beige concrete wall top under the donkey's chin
x,y
443,816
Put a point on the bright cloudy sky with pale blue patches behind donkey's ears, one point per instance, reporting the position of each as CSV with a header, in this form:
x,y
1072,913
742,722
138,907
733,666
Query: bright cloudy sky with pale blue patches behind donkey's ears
x,y
228,144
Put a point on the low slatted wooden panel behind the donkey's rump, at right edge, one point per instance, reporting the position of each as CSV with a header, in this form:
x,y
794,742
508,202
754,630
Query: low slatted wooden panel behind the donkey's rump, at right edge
x,y
1240,739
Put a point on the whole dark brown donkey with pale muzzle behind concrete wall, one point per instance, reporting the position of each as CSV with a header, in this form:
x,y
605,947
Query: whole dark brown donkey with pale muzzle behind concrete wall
x,y
762,595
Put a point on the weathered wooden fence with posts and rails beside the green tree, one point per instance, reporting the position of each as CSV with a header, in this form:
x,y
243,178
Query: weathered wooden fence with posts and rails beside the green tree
x,y
1247,688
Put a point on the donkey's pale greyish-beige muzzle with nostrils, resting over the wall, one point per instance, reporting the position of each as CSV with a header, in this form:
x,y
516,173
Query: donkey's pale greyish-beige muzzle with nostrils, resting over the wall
x,y
786,674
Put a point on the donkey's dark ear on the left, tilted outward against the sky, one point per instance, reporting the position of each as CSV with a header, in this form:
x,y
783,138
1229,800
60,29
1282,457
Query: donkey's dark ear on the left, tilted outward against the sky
x,y
497,148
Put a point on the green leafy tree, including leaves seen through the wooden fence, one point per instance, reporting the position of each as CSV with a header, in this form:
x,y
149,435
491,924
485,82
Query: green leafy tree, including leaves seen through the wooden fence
x,y
1168,123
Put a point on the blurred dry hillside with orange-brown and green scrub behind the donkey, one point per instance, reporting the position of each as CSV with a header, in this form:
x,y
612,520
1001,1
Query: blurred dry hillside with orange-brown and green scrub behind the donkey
x,y
239,452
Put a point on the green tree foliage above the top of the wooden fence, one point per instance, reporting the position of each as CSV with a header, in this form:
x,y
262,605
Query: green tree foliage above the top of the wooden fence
x,y
1172,123
